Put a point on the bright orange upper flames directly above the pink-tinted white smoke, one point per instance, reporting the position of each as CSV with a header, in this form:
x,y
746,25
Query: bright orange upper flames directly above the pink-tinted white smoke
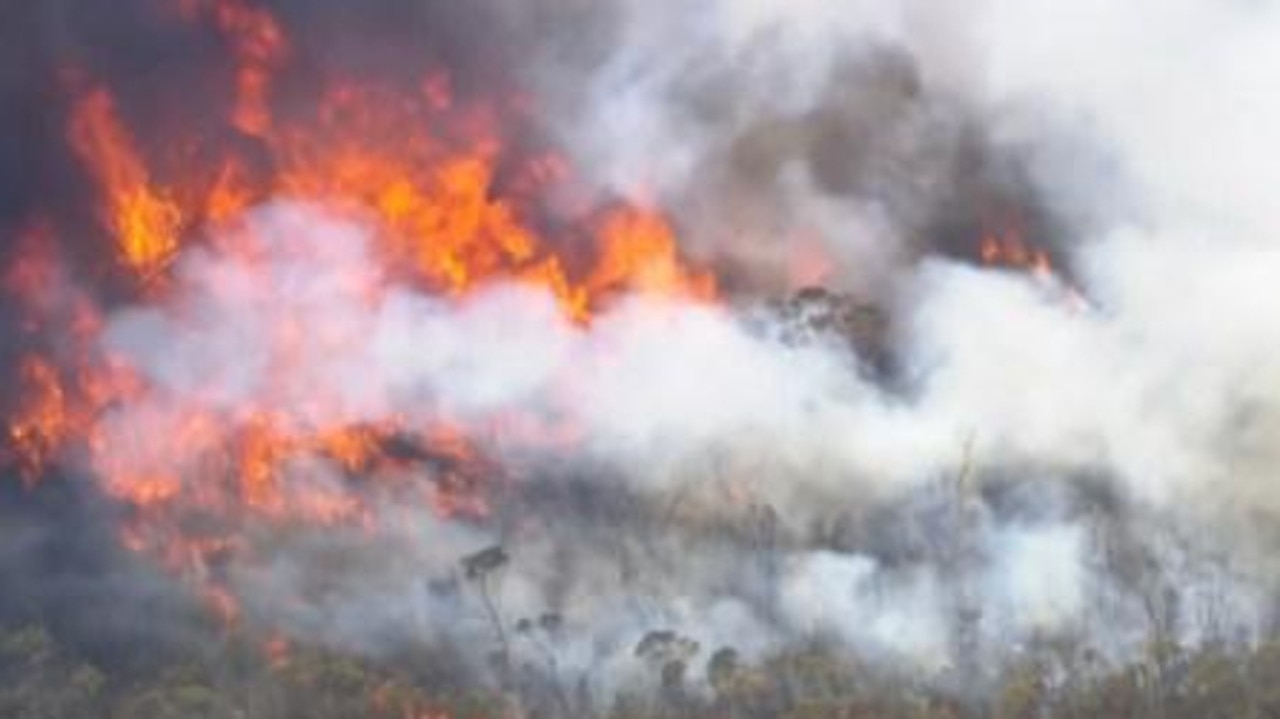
x,y
436,199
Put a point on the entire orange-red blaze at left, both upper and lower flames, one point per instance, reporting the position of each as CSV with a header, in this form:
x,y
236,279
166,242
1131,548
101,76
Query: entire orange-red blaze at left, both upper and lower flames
x,y
452,204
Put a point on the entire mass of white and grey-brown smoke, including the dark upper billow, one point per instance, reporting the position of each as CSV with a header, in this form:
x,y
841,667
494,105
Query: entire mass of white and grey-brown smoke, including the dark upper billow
x,y
1046,457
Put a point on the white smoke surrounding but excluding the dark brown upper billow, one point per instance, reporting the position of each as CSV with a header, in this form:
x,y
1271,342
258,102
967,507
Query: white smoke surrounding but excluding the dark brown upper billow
x,y
1165,383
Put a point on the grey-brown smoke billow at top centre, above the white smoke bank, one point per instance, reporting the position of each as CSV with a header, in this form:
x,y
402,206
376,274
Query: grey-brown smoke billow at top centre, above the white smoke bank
x,y
802,145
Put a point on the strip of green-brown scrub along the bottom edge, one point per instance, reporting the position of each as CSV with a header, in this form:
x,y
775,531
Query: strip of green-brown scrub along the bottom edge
x,y
42,679
